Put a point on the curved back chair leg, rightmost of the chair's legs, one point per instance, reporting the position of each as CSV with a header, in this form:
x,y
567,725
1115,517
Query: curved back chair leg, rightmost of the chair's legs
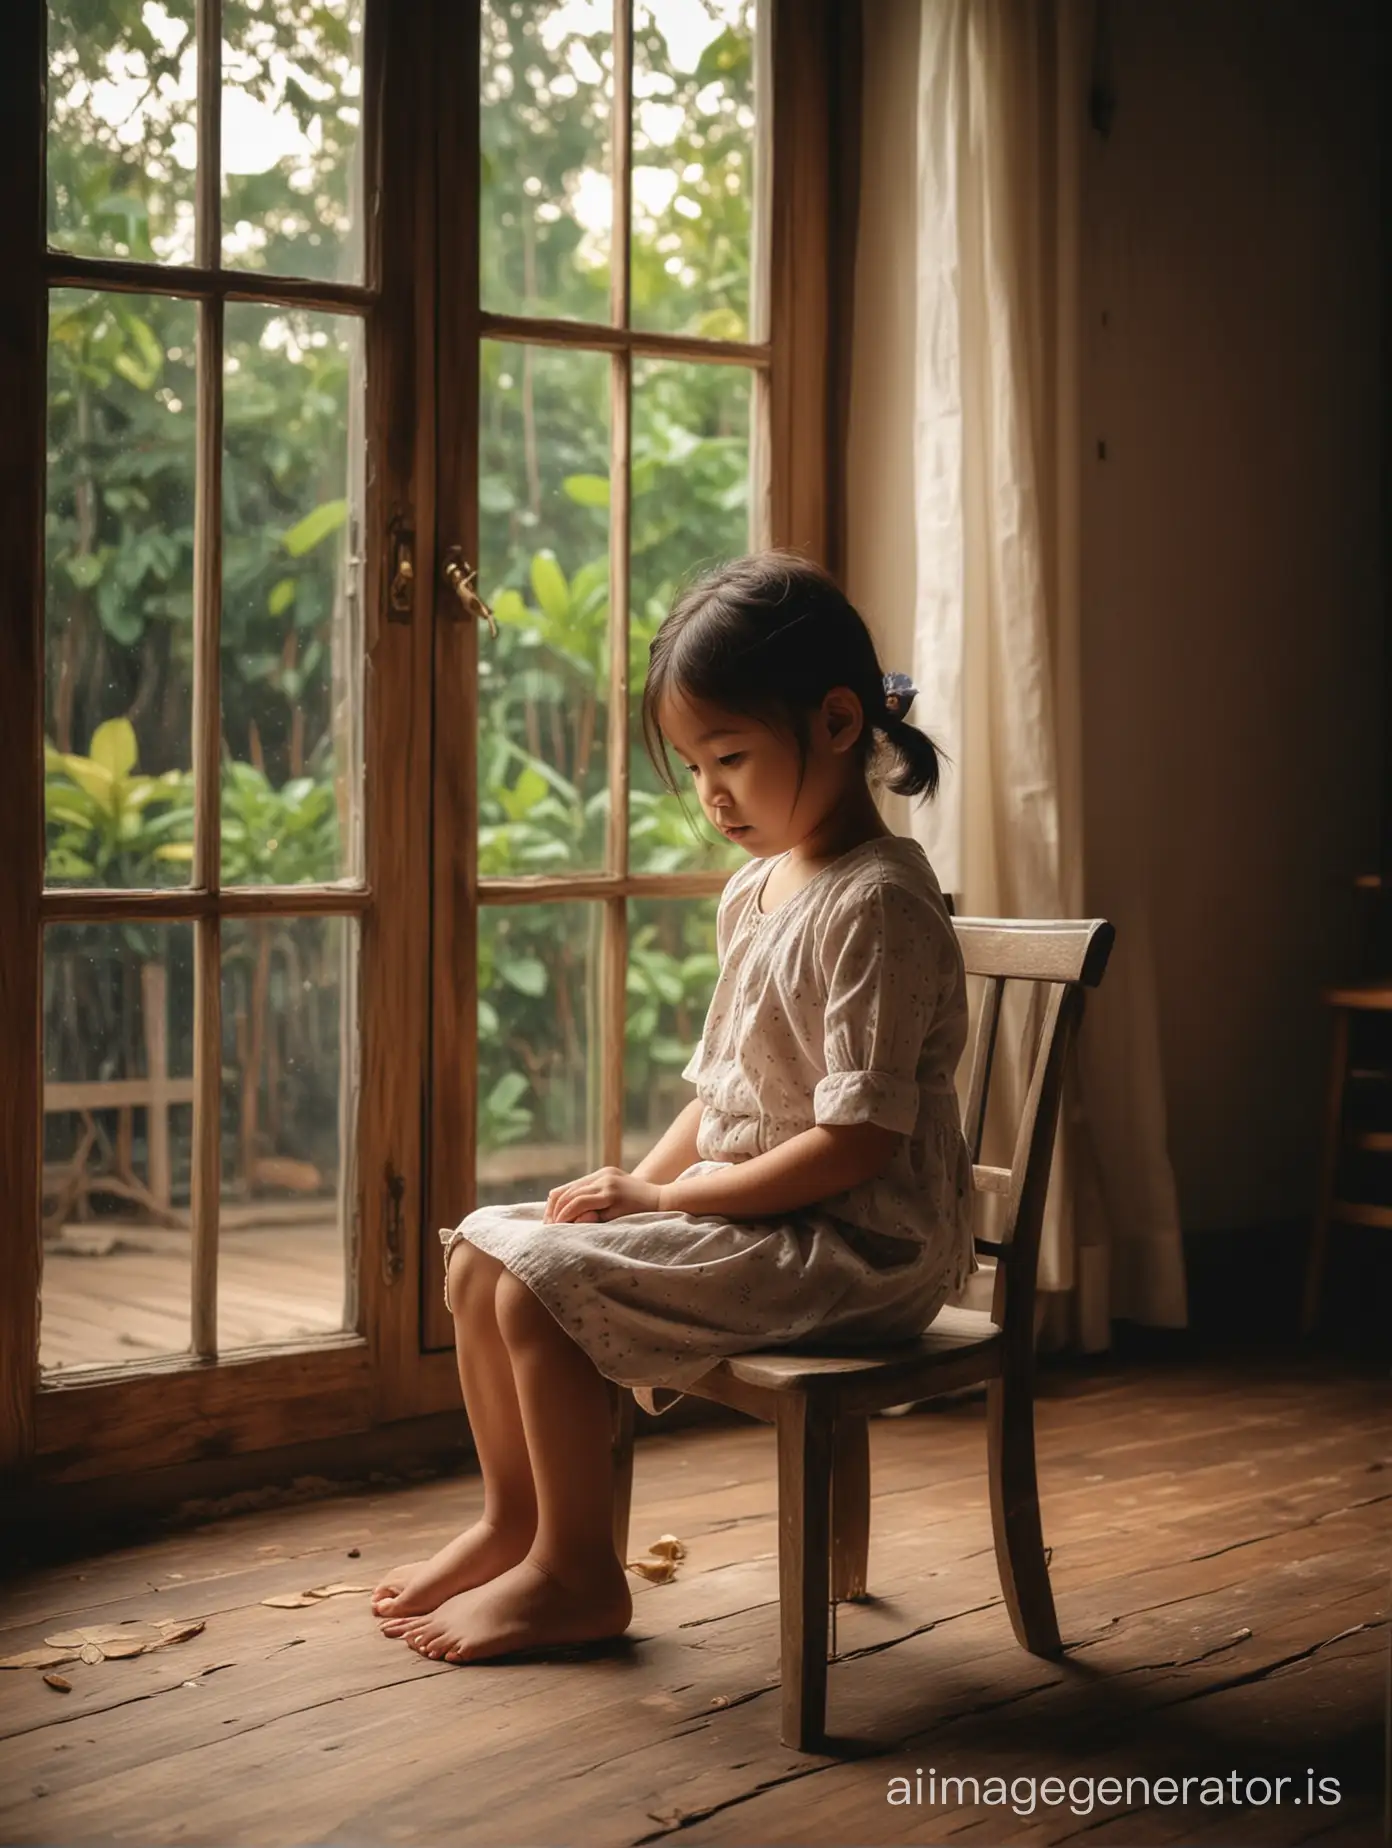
x,y
1010,1441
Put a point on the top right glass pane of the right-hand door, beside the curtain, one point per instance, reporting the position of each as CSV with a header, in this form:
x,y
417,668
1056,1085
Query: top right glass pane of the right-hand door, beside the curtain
x,y
694,178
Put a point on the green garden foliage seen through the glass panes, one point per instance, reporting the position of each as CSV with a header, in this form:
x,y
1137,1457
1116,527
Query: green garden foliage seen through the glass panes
x,y
121,505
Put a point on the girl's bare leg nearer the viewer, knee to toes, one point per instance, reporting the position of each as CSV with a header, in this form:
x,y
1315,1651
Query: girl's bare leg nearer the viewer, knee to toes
x,y
570,1588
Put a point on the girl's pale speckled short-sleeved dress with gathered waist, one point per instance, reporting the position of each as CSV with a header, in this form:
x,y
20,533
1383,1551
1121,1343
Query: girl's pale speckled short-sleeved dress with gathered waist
x,y
842,1006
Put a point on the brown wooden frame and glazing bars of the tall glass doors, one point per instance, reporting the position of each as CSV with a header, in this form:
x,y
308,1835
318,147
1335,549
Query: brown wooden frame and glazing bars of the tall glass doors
x,y
106,1424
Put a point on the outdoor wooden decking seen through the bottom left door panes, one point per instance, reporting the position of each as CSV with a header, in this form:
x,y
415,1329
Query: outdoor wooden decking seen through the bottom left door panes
x,y
121,1293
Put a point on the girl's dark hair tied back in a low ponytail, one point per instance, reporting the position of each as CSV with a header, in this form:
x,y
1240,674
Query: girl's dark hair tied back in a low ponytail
x,y
770,637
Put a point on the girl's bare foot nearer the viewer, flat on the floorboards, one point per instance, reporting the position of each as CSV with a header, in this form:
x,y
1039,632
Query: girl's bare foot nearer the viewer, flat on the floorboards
x,y
528,1609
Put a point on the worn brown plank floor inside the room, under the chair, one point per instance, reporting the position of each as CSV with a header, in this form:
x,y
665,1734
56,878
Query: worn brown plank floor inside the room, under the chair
x,y
1221,1568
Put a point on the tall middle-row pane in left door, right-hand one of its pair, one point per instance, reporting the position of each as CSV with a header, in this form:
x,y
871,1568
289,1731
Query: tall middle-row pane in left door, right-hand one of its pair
x,y
291,616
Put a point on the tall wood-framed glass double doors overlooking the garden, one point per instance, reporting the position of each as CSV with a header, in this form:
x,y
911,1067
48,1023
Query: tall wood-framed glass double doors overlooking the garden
x,y
326,912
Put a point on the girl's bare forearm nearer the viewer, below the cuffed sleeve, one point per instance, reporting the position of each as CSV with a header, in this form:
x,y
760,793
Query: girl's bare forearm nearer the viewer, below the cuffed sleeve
x,y
807,1169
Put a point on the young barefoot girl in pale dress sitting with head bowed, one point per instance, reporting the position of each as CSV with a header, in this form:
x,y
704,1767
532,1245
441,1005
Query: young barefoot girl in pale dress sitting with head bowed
x,y
818,1187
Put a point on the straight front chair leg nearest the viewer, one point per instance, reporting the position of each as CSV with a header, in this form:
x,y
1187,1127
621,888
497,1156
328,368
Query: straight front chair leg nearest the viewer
x,y
805,1568
